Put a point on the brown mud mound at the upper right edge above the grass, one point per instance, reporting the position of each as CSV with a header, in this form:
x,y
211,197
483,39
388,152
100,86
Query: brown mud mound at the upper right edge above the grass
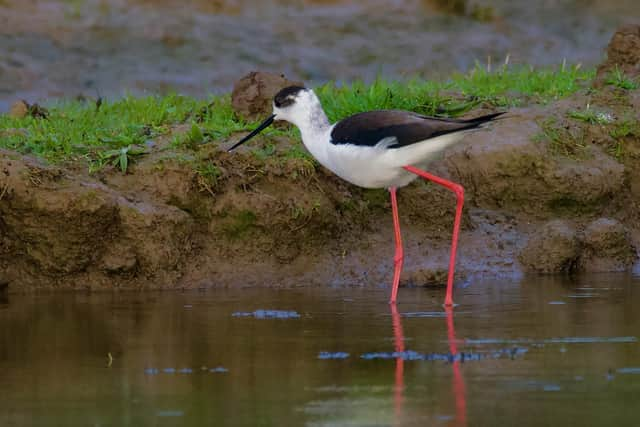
x,y
623,53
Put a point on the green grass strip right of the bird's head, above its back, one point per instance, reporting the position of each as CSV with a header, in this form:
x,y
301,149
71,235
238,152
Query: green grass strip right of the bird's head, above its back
x,y
506,87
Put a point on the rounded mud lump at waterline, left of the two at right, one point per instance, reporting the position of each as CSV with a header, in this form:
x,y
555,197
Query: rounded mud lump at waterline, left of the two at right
x,y
555,248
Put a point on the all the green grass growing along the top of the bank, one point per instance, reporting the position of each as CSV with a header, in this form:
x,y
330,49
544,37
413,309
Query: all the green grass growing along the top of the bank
x,y
81,130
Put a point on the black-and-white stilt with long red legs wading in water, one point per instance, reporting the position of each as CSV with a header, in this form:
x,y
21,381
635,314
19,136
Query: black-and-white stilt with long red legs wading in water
x,y
377,149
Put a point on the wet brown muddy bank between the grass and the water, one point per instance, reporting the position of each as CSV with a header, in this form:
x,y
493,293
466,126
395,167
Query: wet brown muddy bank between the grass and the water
x,y
549,189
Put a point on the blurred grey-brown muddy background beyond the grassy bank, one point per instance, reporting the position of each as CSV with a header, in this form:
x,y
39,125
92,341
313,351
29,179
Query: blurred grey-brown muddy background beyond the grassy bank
x,y
65,48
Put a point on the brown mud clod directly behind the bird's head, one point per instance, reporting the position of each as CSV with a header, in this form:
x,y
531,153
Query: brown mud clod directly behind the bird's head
x,y
253,94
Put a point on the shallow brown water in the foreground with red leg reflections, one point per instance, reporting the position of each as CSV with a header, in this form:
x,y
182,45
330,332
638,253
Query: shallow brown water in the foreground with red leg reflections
x,y
528,353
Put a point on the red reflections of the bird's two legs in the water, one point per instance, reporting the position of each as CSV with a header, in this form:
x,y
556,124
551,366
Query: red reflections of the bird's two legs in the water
x,y
458,386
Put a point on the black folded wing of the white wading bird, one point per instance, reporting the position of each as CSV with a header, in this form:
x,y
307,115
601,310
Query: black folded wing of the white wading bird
x,y
369,128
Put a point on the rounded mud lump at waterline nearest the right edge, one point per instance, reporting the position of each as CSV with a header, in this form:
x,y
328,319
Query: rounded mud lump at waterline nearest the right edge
x,y
606,247
